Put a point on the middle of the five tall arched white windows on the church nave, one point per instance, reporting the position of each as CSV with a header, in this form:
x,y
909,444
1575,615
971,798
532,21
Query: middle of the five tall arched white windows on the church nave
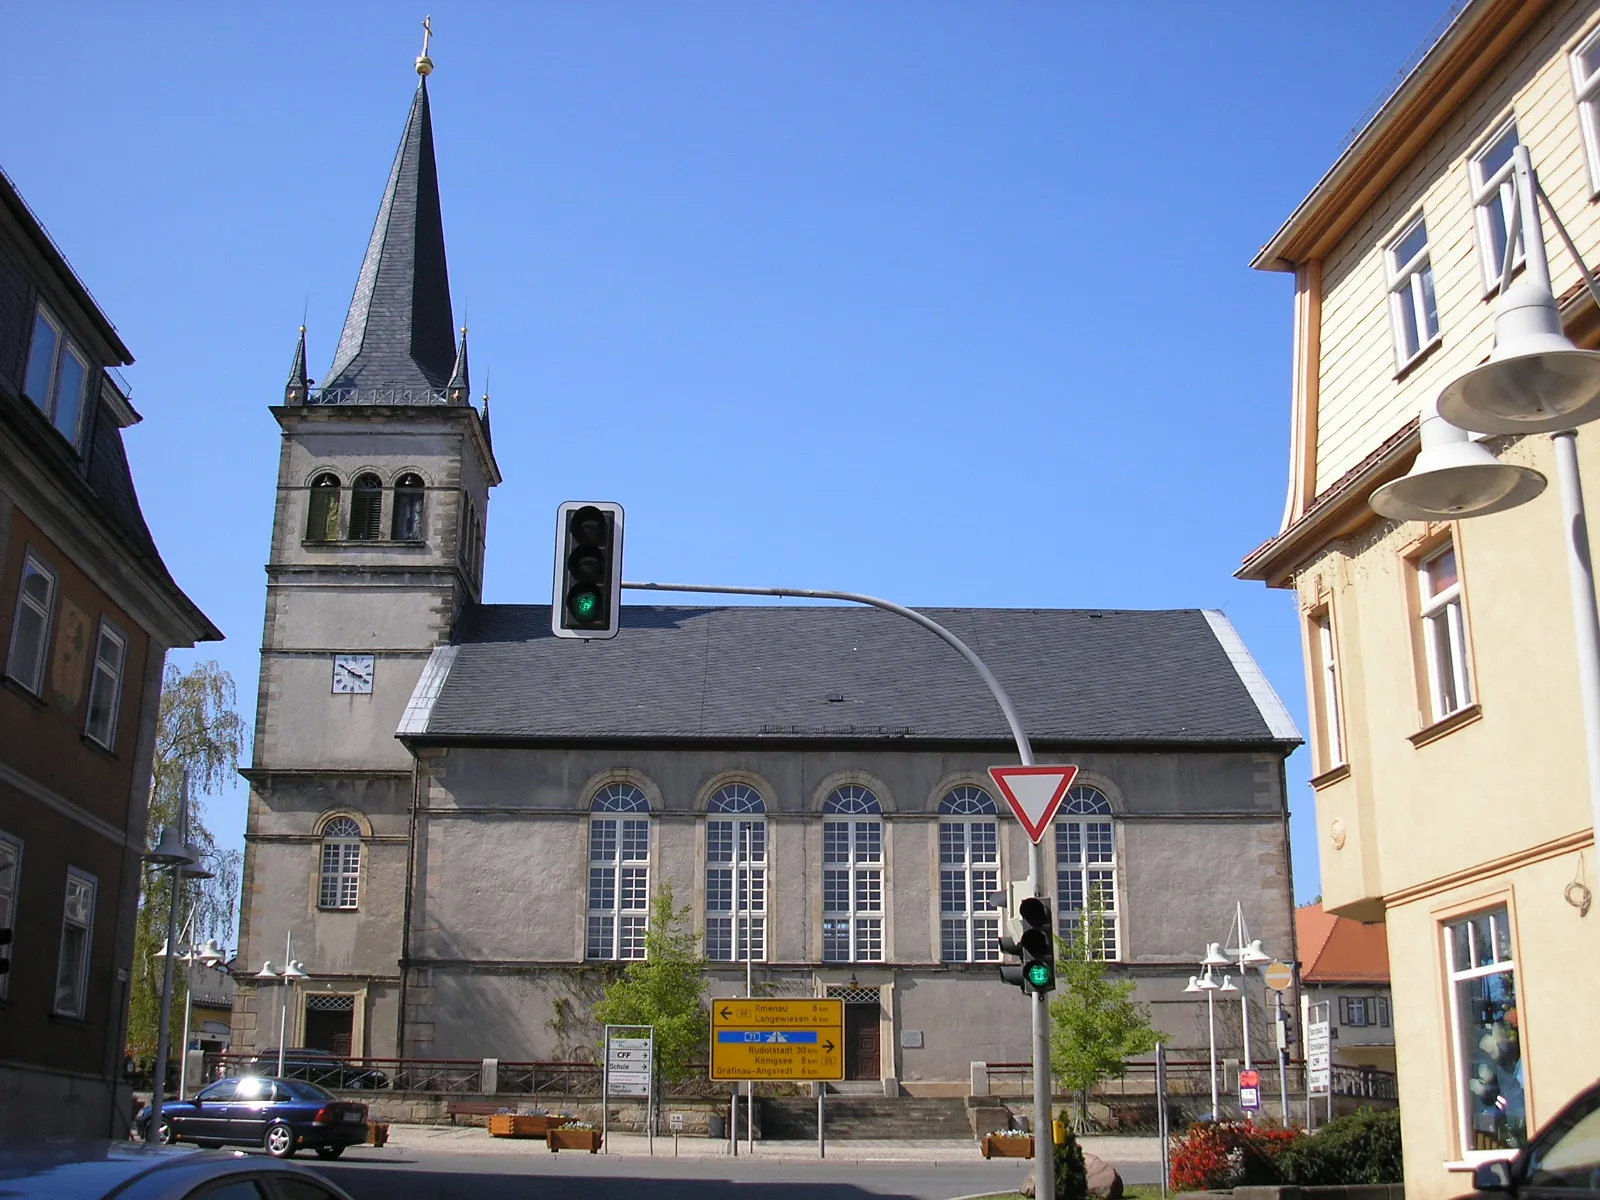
x,y
854,871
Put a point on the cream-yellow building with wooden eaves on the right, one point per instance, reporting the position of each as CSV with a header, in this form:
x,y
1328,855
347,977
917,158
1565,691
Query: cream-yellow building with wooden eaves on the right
x,y
1449,742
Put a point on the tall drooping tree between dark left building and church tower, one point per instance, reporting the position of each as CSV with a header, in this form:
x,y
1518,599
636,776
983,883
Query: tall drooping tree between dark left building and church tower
x,y
199,737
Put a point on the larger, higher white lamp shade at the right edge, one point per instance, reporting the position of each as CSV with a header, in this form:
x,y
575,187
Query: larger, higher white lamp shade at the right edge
x,y
1535,382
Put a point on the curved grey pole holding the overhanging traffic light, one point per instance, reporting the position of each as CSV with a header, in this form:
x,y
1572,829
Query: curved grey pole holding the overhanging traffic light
x,y
1044,1143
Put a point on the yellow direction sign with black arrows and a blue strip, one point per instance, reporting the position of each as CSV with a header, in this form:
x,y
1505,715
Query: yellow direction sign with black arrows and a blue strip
x,y
778,1039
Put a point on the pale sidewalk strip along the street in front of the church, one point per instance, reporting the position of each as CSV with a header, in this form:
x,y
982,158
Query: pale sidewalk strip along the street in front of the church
x,y
930,1151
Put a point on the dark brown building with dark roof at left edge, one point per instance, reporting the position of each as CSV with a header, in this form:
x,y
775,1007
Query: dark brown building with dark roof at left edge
x,y
87,617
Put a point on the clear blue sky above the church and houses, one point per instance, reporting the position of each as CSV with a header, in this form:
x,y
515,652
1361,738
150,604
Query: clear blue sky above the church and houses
x,y
942,302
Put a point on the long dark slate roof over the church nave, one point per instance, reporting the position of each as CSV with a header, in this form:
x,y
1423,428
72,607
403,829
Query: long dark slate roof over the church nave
x,y
849,674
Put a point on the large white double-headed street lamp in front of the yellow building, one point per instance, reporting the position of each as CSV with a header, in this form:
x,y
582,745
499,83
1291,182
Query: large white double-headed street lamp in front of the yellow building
x,y
1535,382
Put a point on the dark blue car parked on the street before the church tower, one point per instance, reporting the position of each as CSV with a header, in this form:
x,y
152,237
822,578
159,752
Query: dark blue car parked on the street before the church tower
x,y
279,1114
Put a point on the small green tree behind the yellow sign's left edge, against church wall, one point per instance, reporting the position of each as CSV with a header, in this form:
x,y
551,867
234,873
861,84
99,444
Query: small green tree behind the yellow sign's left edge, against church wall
x,y
665,990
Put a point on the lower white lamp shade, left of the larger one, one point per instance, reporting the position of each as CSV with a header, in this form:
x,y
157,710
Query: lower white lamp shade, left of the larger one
x,y
1455,476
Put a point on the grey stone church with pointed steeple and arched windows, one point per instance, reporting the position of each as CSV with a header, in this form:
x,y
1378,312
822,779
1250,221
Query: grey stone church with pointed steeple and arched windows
x,y
458,820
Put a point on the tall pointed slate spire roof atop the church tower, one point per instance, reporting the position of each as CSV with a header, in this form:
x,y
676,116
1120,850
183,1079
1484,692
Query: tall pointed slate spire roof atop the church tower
x,y
399,332
